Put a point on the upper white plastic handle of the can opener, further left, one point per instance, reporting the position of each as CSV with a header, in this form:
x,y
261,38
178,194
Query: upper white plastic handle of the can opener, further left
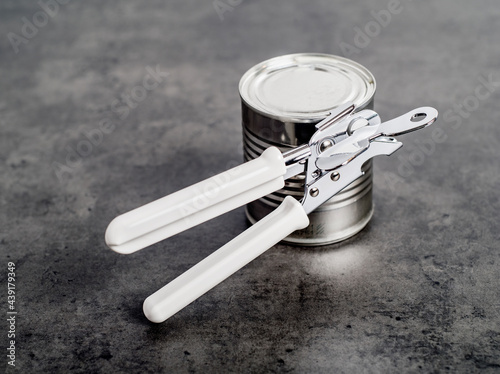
x,y
198,203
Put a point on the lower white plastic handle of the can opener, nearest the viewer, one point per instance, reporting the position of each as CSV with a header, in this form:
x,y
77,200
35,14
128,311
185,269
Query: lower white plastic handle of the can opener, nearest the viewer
x,y
186,288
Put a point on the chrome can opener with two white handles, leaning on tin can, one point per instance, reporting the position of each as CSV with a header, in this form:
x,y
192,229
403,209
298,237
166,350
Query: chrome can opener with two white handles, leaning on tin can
x,y
332,160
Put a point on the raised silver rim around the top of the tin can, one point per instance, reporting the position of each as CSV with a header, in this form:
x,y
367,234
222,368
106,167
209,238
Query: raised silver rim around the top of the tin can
x,y
290,60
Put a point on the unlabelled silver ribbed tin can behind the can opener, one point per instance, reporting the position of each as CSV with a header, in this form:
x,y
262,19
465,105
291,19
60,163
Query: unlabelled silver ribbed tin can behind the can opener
x,y
282,100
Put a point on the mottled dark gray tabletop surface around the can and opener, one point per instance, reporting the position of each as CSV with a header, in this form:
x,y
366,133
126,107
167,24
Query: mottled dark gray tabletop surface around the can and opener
x,y
418,290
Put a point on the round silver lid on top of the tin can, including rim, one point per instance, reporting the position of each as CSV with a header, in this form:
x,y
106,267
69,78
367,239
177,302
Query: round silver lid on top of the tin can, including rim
x,y
305,87
